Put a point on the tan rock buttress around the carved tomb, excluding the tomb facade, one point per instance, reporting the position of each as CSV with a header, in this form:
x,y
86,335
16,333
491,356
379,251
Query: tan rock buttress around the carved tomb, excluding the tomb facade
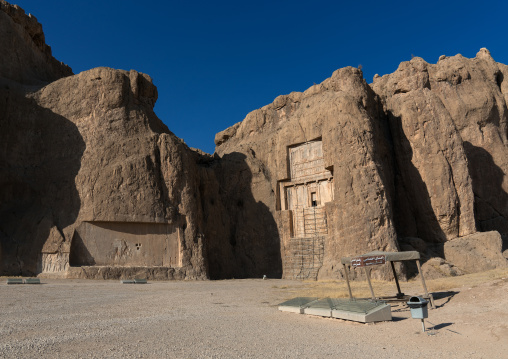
x,y
346,117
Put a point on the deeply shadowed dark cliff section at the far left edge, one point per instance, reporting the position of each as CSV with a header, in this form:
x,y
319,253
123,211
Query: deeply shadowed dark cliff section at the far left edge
x,y
38,148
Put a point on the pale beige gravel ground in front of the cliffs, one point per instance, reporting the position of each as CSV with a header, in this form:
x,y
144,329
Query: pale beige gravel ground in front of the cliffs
x,y
234,319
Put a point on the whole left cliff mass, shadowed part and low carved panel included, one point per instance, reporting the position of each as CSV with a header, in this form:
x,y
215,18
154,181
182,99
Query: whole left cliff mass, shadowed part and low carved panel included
x,y
89,175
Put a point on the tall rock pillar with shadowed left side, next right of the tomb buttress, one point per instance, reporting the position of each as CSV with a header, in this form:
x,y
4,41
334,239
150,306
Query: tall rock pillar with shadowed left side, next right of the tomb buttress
x,y
434,180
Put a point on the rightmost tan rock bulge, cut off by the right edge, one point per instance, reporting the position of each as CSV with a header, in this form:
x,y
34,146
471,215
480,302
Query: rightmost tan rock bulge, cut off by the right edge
x,y
477,105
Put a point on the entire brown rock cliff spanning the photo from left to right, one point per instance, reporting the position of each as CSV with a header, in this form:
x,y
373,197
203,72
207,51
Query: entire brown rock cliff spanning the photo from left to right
x,y
94,185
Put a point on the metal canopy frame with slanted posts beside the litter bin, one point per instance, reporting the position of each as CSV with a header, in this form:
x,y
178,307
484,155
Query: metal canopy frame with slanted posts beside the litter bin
x,y
388,257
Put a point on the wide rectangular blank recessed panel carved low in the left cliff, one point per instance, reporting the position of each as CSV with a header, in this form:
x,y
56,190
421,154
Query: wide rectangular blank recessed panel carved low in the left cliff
x,y
125,244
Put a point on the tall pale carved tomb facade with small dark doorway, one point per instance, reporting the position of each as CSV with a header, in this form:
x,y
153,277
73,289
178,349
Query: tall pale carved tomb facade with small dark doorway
x,y
303,197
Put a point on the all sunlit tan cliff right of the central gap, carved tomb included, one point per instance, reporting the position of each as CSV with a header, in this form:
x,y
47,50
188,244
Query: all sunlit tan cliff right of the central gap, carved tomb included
x,y
424,158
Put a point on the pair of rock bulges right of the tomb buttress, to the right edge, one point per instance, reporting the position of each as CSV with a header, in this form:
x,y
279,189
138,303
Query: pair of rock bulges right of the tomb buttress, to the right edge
x,y
449,122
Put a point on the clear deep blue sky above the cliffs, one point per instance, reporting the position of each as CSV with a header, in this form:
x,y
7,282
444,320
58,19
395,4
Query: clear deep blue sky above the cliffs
x,y
215,61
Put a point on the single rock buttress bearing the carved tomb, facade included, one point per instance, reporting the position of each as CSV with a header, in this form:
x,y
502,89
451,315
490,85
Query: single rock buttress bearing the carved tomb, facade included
x,y
322,168
